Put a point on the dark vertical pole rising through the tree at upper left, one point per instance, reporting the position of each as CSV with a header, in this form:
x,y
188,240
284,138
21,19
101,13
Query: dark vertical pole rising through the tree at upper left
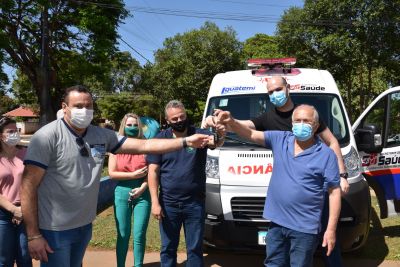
x,y
45,106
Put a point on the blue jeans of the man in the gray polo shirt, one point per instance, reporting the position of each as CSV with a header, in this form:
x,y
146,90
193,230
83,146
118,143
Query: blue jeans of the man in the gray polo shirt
x,y
69,246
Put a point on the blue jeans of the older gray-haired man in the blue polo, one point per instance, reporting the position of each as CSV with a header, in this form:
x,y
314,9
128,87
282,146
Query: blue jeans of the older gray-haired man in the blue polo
x,y
286,247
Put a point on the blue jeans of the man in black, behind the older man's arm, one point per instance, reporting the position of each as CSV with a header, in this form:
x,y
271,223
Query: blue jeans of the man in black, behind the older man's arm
x,y
335,258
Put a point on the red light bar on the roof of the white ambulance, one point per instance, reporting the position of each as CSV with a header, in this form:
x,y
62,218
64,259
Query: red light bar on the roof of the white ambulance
x,y
263,65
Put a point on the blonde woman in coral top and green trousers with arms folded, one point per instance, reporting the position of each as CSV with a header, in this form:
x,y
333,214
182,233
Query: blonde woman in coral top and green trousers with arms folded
x,y
131,195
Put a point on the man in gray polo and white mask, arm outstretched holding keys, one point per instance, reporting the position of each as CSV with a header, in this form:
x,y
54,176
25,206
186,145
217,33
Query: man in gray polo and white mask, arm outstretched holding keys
x,y
62,176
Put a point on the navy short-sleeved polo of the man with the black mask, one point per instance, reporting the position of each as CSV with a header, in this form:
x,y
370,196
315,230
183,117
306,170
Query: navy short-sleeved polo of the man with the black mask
x,y
182,173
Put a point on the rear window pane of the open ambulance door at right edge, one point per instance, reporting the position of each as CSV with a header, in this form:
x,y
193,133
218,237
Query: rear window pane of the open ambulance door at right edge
x,y
394,121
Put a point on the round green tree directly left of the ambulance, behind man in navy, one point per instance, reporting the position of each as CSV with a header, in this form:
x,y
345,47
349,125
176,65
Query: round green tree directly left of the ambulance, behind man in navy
x,y
185,66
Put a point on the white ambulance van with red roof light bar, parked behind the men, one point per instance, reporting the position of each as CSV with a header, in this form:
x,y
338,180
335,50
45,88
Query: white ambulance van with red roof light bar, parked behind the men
x,y
239,172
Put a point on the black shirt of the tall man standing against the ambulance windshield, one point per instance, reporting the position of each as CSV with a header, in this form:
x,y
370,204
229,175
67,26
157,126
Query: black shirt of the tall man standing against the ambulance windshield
x,y
279,121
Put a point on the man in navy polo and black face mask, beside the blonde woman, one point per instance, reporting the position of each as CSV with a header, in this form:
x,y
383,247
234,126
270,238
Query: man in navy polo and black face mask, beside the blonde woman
x,y
181,178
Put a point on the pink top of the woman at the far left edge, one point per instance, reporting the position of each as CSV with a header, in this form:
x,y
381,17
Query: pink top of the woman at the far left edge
x,y
11,176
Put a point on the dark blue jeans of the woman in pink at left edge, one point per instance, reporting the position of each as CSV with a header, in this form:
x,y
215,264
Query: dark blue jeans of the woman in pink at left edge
x,y
13,242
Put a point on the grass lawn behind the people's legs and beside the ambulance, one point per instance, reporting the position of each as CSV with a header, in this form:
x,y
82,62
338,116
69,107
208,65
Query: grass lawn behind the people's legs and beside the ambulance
x,y
383,241
